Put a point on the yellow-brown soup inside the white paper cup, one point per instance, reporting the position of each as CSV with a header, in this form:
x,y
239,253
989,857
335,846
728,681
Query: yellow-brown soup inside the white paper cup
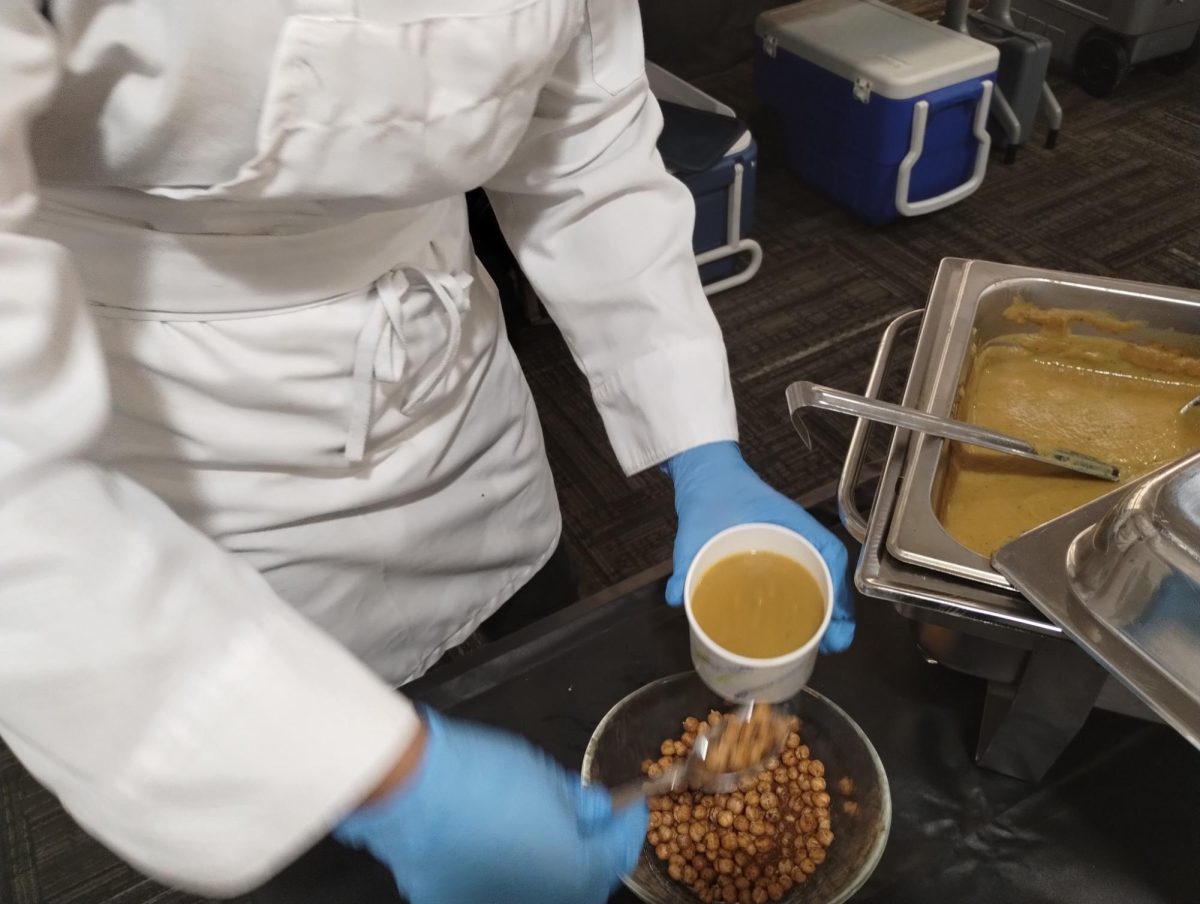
x,y
759,604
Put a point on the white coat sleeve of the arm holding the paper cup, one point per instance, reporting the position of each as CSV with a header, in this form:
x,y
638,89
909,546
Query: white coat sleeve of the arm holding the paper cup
x,y
604,235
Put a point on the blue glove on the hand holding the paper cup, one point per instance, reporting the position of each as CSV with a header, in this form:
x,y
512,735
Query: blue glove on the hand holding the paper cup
x,y
716,490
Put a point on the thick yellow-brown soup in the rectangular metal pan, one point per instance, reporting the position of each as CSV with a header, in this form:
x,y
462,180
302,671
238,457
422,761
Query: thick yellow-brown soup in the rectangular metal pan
x,y
1105,397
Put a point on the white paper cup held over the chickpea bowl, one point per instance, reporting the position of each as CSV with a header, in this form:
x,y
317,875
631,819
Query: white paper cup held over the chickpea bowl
x,y
739,678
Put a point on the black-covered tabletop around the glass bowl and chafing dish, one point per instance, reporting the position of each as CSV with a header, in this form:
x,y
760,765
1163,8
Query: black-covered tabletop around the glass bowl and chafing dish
x,y
1117,821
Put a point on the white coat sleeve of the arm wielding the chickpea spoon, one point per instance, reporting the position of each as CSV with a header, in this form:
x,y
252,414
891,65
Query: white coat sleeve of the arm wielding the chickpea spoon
x,y
182,713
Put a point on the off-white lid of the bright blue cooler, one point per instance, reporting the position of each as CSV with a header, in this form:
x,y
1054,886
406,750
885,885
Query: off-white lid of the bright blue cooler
x,y
901,55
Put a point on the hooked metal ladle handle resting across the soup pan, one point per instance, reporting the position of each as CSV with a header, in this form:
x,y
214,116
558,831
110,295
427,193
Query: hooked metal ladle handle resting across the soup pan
x,y
811,396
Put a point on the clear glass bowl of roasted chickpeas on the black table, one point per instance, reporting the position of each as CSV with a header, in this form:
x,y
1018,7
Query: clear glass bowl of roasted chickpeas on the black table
x,y
801,835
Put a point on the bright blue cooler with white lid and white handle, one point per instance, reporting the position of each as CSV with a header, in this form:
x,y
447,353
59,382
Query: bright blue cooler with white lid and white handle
x,y
885,112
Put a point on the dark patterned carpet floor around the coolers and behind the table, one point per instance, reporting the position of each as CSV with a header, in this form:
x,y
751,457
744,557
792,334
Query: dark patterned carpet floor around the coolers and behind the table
x,y
1120,196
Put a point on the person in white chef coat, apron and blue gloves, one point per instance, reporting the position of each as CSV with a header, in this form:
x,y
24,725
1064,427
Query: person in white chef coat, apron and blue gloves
x,y
266,453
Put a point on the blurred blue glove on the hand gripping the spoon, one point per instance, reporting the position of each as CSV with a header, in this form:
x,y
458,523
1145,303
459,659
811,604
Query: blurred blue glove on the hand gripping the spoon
x,y
489,819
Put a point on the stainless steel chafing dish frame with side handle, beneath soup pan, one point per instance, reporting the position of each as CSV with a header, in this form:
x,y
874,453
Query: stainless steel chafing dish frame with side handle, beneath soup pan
x,y
1041,687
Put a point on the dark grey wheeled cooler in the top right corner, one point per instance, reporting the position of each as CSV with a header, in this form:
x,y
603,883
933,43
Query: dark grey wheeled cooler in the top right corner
x,y
1101,40
